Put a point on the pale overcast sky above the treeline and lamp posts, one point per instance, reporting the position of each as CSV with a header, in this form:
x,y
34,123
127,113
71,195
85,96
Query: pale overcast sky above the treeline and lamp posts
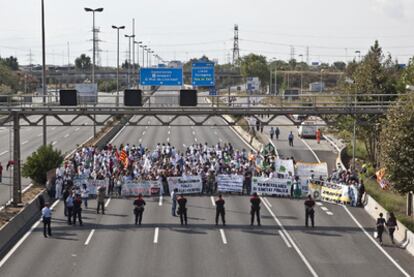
x,y
182,29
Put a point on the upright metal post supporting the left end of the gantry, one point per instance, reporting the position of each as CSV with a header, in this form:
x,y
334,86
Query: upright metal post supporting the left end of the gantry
x,y
17,184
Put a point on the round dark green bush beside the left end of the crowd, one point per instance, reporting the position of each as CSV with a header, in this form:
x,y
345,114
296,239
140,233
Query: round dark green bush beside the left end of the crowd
x,y
40,162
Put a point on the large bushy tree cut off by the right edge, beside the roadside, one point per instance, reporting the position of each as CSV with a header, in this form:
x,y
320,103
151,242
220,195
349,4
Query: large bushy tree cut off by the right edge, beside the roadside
x,y
397,144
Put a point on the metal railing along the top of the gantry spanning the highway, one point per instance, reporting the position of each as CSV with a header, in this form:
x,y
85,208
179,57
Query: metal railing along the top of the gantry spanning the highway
x,y
168,103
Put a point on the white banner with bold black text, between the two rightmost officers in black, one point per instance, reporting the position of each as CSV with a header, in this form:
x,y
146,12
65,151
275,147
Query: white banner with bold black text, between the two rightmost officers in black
x,y
273,186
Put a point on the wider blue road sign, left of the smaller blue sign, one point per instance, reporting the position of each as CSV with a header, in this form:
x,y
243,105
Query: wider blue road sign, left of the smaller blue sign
x,y
161,76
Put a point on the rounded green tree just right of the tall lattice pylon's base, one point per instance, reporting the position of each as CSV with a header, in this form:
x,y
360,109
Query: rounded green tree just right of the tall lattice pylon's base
x,y
254,65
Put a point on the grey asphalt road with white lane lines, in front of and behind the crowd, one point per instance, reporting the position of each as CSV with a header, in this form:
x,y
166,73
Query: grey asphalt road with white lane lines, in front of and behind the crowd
x,y
111,245
